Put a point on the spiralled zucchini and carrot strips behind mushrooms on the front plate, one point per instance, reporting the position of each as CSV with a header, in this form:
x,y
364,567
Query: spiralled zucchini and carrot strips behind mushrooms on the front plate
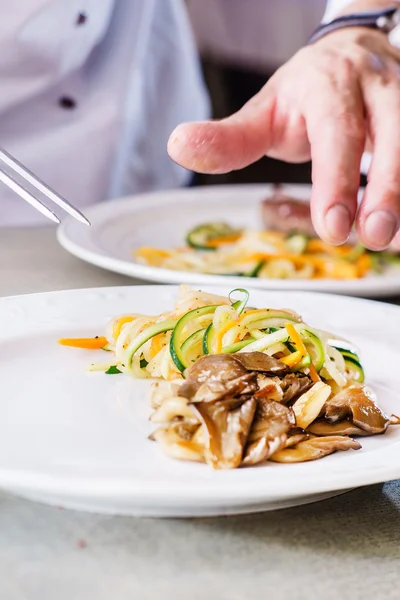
x,y
163,346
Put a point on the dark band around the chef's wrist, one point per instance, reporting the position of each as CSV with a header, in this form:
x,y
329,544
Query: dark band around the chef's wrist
x,y
384,20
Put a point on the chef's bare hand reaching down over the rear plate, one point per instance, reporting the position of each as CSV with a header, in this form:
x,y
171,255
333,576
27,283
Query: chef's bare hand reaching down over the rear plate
x,y
328,103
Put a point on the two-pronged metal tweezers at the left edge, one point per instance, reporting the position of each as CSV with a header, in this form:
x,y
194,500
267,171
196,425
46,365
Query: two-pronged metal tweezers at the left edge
x,y
40,186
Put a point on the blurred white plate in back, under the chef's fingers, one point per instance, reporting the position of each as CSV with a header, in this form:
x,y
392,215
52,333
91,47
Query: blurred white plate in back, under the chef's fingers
x,y
162,219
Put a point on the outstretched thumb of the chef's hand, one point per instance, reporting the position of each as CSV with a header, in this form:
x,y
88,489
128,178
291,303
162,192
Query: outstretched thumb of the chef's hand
x,y
227,145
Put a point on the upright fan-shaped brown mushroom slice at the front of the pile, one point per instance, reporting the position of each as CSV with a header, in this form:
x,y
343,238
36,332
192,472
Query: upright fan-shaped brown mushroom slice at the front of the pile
x,y
227,427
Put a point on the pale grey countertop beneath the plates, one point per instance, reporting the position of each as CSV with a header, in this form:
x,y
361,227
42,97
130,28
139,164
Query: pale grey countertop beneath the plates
x,y
345,547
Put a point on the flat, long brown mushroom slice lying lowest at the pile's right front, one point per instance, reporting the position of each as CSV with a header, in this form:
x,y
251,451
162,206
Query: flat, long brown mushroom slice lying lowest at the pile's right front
x,y
315,449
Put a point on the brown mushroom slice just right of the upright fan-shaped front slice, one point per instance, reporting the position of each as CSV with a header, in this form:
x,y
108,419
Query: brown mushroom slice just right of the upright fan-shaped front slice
x,y
269,431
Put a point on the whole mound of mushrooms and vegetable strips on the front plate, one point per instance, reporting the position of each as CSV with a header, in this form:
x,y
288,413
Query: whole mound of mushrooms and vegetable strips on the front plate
x,y
245,385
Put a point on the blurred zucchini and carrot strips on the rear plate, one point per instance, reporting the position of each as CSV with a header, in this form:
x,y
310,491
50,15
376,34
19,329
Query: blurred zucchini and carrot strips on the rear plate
x,y
219,249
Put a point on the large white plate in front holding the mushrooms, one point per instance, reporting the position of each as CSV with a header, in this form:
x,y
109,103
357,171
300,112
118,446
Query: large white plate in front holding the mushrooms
x,y
78,439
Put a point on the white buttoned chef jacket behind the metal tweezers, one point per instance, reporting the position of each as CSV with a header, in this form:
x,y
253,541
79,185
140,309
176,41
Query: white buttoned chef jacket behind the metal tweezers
x,y
90,91
